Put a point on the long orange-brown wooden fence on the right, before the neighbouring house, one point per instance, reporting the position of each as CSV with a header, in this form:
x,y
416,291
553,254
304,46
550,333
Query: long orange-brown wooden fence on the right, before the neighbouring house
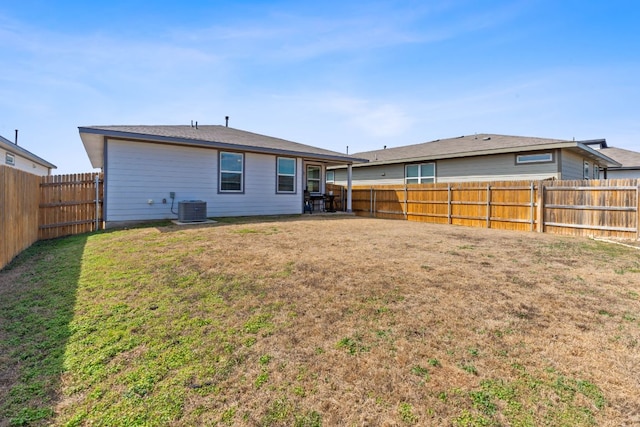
x,y
604,208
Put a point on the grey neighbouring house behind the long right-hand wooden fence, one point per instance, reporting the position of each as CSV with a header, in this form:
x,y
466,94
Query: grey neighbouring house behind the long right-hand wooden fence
x,y
482,157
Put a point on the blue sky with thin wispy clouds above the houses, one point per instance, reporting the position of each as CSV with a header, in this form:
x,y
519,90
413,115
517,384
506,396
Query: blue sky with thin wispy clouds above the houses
x,y
330,74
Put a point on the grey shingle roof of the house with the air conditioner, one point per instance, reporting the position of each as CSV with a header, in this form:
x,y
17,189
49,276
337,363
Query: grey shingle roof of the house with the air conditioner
x,y
213,136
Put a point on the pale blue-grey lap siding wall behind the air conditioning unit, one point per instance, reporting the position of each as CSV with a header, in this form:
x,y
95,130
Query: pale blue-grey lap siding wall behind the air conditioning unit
x,y
140,172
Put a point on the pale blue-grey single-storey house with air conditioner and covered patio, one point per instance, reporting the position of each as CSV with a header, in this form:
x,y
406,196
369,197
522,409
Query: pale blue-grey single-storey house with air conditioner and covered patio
x,y
235,172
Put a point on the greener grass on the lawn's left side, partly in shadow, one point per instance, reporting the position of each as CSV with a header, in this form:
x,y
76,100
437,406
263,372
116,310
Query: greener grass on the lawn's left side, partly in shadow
x,y
132,340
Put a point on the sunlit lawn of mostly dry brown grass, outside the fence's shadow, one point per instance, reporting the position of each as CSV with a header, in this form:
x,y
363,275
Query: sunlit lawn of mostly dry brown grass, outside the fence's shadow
x,y
353,321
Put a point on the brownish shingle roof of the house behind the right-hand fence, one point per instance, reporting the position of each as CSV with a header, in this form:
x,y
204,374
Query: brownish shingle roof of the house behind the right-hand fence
x,y
475,145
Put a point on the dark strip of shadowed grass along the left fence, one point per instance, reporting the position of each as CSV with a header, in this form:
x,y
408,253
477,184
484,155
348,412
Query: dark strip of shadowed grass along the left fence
x,y
37,299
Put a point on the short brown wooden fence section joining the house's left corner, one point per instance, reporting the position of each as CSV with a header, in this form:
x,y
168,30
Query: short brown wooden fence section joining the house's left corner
x,y
70,204
